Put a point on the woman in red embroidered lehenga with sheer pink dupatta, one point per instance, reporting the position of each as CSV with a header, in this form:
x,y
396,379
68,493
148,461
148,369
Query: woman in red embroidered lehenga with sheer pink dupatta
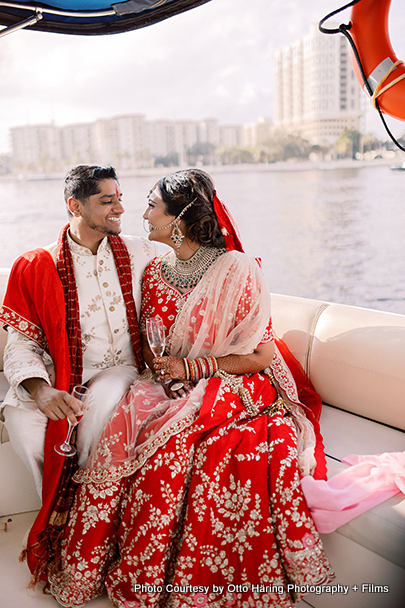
x,y
192,496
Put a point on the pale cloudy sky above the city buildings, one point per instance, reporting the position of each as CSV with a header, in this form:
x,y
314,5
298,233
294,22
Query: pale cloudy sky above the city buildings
x,y
213,61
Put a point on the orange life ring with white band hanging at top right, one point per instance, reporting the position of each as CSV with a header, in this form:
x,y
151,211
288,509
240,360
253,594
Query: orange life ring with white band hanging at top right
x,y
382,68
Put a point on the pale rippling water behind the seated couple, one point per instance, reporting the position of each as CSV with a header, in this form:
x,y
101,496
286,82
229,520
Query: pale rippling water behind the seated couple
x,y
336,235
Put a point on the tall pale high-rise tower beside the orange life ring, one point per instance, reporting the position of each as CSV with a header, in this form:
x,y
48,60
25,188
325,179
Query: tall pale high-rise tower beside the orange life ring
x,y
316,93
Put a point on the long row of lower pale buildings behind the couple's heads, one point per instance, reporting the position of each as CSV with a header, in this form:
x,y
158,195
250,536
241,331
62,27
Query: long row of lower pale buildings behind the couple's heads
x,y
128,141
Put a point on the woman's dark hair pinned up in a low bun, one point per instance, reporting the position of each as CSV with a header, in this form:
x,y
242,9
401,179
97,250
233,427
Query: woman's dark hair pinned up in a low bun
x,y
181,188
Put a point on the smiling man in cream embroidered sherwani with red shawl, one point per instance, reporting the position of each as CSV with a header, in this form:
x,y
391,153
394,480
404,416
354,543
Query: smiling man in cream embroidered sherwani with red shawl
x,y
71,315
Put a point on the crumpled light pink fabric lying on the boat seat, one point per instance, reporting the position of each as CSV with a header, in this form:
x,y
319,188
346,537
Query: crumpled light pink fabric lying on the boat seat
x,y
368,482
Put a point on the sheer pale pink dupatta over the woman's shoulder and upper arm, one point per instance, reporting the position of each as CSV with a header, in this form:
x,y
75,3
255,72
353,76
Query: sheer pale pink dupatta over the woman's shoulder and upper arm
x,y
227,313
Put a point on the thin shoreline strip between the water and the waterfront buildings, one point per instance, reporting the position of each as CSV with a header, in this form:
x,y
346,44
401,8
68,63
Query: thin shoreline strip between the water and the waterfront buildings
x,y
286,166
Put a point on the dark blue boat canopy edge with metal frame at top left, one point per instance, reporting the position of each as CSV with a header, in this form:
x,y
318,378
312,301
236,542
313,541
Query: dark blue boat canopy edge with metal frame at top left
x,y
75,16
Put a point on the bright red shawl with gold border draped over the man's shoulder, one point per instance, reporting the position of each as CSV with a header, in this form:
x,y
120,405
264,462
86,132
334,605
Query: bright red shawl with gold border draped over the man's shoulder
x,y
34,305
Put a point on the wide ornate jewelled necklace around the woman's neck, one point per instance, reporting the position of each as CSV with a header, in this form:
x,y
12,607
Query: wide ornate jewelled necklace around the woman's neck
x,y
185,274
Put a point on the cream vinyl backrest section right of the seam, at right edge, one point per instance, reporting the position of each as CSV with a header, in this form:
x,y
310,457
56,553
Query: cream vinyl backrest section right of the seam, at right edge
x,y
357,362
